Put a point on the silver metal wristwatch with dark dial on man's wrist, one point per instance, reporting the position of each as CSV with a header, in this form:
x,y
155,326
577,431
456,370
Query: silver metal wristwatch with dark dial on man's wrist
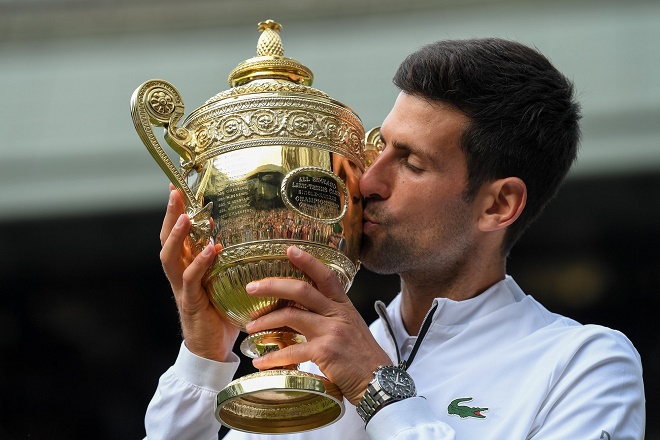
x,y
390,384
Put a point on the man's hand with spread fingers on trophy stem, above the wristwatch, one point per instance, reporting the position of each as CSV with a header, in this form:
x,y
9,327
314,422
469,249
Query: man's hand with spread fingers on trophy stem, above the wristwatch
x,y
338,339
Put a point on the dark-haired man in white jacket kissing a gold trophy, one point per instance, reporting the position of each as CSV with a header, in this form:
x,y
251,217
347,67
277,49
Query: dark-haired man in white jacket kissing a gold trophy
x,y
478,141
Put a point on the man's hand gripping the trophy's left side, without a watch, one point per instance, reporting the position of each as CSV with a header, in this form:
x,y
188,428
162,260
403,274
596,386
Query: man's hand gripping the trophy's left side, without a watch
x,y
206,333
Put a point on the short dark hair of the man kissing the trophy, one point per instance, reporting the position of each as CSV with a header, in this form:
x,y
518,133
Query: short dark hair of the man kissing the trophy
x,y
523,116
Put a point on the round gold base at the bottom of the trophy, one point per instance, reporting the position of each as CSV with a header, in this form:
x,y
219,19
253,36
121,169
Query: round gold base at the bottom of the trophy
x,y
279,401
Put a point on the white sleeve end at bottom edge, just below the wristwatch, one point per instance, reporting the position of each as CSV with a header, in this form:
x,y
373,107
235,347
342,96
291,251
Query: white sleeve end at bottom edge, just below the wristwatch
x,y
410,419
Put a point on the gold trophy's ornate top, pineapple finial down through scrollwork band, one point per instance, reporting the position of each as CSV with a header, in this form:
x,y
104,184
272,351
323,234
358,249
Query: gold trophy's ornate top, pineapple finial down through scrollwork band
x,y
271,102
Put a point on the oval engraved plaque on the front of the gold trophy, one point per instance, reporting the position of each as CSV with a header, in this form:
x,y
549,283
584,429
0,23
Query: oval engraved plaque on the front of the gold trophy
x,y
316,194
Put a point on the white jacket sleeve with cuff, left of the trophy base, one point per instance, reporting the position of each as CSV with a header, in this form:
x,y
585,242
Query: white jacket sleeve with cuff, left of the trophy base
x,y
183,405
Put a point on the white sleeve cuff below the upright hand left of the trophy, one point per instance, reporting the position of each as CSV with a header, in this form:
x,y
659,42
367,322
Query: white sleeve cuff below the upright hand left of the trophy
x,y
202,372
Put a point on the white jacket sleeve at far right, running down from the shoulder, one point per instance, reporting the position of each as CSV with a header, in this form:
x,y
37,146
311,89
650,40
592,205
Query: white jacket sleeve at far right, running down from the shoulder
x,y
599,393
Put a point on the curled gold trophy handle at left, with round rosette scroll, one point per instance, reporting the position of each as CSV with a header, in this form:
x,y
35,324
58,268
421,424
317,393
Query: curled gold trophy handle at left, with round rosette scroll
x,y
158,103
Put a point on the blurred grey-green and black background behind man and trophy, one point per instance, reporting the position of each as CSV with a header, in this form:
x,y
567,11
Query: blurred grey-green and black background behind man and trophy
x,y
87,321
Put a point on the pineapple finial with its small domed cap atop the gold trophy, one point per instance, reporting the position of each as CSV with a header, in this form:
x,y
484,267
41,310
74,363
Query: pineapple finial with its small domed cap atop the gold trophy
x,y
270,62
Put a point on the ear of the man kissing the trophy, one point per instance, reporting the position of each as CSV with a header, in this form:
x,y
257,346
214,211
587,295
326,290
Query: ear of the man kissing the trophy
x,y
503,201
